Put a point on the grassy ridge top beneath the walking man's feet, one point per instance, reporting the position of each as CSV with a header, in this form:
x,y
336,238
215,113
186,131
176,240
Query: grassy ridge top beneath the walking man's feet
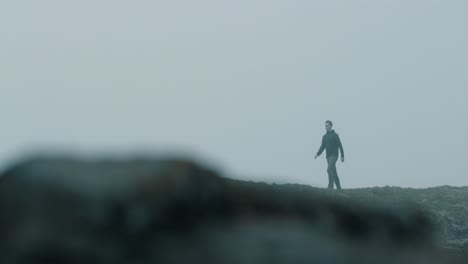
x,y
446,206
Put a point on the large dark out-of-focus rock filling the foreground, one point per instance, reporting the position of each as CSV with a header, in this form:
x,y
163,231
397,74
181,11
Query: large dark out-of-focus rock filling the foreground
x,y
175,211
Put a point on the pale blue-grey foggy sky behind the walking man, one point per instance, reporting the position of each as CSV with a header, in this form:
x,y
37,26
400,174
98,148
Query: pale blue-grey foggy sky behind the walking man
x,y
246,85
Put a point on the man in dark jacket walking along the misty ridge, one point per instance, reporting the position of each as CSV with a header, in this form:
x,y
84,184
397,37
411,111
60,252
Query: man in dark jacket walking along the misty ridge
x,y
331,142
